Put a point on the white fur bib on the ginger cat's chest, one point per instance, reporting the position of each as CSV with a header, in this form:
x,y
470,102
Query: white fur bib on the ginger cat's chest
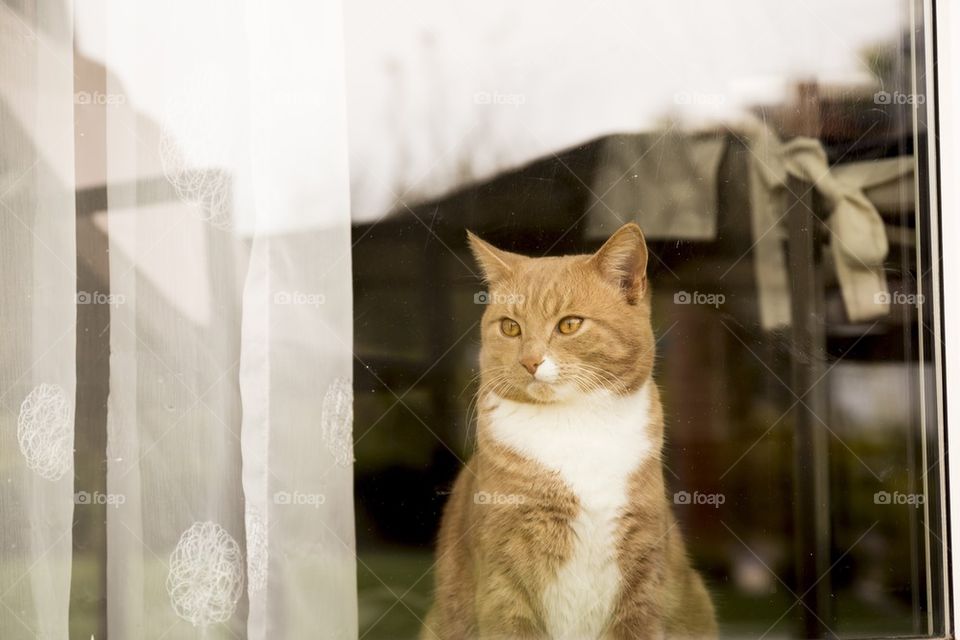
x,y
595,446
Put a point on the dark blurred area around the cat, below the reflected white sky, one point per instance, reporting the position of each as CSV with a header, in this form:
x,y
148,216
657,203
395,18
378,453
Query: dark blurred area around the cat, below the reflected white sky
x,y
797,426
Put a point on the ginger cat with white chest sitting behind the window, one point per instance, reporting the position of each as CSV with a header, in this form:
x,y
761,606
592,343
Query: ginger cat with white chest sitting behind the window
x,y
559,526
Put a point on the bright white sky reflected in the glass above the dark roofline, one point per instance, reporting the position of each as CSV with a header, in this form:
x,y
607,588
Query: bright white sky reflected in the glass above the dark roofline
x,y
419,73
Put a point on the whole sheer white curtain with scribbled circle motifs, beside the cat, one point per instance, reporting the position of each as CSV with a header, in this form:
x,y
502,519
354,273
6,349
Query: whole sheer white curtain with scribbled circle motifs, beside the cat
x,y
228,454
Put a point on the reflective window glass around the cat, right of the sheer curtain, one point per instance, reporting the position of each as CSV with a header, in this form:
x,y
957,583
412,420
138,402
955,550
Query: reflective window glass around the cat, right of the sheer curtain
x,y
775,157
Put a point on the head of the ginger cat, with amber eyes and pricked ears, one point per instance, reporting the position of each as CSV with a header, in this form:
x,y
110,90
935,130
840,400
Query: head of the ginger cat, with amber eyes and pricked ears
x,y
556,329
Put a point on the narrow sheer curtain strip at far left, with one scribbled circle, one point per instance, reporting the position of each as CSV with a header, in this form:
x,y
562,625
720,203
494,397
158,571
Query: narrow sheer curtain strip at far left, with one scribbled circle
x,y
37,320
